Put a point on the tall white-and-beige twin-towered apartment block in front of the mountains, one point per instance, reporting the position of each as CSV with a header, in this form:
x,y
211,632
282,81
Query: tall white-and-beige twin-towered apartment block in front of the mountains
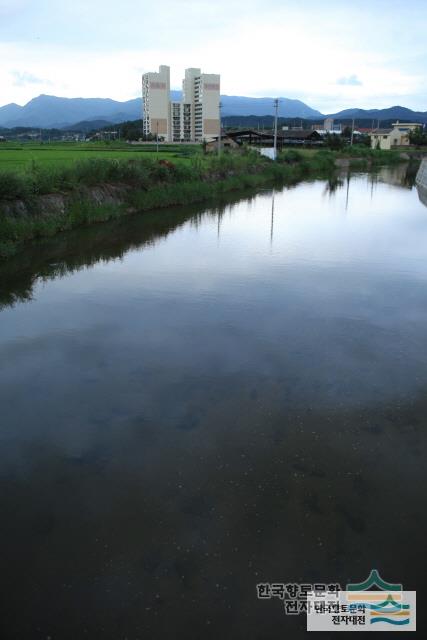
x,y
192,119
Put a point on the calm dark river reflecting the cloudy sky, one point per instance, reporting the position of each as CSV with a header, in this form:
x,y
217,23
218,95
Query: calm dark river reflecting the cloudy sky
x,y
198,400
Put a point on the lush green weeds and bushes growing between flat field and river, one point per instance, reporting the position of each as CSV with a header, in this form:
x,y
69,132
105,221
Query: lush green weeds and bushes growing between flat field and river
x,y
45,200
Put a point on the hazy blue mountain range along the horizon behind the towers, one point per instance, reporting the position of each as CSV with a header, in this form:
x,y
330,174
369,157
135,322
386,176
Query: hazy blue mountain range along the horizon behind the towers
x,y
53,112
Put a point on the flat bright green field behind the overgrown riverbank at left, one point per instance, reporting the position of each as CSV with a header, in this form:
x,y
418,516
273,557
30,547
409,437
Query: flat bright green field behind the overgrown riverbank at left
x,y
21,157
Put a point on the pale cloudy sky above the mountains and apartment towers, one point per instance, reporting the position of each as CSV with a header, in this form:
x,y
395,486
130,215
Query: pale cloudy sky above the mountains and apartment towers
x,y
332,55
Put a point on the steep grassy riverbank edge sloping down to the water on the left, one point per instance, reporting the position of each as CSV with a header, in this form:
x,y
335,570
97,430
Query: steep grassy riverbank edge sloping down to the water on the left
x,y
25,220
